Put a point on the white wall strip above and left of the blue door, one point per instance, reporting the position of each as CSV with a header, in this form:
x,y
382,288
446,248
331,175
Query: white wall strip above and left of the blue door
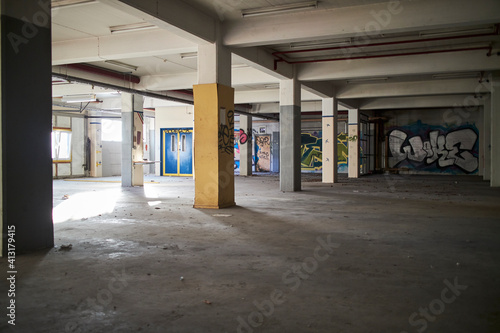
x,y
171,117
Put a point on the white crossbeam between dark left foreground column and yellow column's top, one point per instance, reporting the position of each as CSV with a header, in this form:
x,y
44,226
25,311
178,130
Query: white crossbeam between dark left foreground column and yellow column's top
x,y
115,47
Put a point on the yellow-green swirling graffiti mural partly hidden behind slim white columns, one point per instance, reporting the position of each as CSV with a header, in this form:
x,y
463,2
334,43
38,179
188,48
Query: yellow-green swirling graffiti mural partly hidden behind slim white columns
x,y
311,150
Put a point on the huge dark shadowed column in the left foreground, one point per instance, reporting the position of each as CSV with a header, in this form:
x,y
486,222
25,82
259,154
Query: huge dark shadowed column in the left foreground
x,y
26,125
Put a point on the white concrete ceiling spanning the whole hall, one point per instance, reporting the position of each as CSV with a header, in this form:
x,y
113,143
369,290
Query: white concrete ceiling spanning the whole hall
x,y
81,34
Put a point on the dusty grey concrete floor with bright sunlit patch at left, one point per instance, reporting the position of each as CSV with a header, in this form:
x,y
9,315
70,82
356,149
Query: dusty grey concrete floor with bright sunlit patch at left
x,y
377,254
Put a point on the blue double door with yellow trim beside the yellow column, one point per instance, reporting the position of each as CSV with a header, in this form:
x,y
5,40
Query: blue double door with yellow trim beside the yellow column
x,y
177,152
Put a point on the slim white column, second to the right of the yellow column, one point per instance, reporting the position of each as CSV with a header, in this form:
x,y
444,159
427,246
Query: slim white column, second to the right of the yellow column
x,y
330,157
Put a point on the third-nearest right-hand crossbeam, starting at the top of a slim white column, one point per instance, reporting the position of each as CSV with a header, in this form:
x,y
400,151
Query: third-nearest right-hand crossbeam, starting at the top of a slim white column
x,y
413,88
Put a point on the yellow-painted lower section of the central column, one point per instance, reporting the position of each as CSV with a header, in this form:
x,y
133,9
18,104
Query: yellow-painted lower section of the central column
x,y
213,146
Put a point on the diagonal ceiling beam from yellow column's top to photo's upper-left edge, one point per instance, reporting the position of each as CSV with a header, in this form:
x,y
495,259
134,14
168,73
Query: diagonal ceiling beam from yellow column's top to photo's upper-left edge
x,y
175,16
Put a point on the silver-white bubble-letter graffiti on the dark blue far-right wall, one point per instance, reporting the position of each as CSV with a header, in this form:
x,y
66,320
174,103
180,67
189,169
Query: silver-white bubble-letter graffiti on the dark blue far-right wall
x,y
450,150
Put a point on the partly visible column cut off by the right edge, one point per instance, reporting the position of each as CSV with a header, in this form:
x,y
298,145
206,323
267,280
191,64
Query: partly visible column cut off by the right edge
x,y
495,131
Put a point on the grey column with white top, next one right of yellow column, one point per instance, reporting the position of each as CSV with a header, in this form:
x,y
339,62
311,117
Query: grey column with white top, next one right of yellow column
x,y
290,135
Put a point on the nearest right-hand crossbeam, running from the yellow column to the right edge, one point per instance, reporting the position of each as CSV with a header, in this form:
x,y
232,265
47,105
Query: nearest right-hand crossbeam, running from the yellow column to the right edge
x,y
360,21
